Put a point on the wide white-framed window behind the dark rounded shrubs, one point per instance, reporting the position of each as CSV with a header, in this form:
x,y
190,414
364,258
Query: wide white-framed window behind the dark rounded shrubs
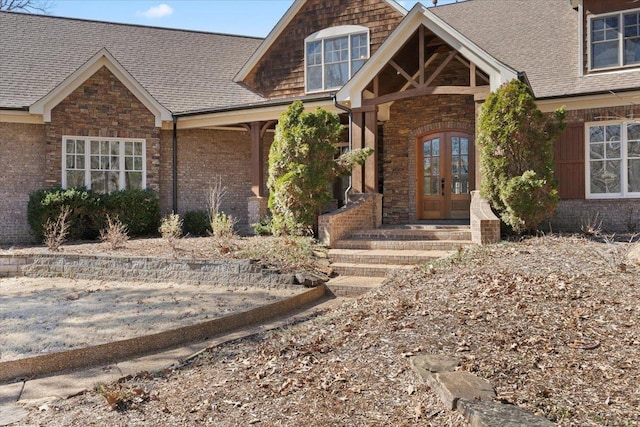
x,y
103,164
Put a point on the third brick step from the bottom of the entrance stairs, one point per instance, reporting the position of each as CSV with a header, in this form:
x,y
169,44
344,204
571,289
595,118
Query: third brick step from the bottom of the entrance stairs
x,y
383,256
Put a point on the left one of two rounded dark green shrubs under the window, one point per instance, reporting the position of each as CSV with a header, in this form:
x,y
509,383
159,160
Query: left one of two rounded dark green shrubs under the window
x,y
46,205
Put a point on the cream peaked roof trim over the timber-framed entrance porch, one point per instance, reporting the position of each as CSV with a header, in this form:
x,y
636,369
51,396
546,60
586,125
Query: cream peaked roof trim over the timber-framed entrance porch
x,y
420,15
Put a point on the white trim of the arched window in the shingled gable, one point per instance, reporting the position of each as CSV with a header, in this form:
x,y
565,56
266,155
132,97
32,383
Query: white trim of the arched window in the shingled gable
x,y
328,34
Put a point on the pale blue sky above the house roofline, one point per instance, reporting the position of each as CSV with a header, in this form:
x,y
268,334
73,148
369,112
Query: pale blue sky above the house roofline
x,y
245,17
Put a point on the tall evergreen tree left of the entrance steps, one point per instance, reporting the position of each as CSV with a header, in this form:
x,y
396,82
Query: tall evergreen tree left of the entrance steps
x,y
302,166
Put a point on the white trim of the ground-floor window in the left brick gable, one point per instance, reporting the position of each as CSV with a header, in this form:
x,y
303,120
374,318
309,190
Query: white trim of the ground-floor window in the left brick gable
x,y
87,159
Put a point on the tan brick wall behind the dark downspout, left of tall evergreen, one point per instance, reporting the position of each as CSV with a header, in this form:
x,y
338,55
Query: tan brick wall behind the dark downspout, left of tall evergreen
x,y
204,155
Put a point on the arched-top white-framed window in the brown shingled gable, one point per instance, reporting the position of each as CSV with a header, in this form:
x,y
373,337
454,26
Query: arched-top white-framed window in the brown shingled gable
x,y
333,55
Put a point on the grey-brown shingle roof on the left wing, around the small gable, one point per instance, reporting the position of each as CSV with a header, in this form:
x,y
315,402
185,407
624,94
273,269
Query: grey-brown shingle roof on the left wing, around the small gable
x,y
183,70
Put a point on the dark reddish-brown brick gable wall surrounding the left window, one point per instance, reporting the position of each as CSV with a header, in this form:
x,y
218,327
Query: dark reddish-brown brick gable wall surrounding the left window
x,y
101,106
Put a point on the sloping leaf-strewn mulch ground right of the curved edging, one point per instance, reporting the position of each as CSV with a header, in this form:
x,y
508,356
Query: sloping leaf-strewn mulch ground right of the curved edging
x,y
552,322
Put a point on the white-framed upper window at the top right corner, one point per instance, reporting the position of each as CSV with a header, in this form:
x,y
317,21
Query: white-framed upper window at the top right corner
x,y
614,40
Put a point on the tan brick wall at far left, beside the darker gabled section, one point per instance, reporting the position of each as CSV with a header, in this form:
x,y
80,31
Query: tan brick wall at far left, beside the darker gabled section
x,y
22,162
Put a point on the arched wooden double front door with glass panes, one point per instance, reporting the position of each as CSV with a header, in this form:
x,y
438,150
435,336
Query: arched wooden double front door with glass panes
x,y
445,175
